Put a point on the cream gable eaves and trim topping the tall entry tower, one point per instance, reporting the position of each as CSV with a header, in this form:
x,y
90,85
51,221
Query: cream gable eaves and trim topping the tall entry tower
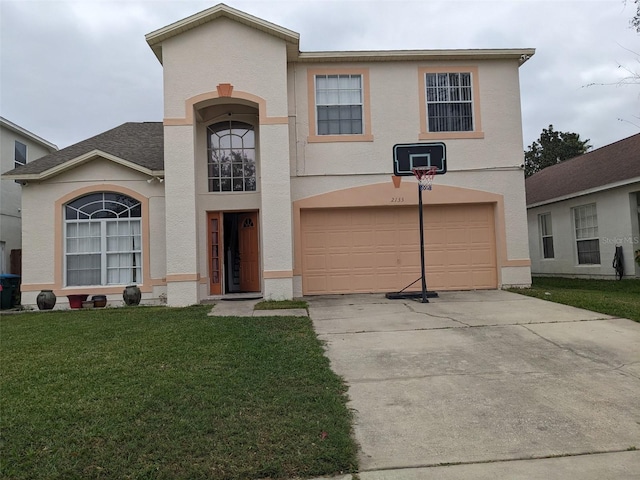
x,y
155,38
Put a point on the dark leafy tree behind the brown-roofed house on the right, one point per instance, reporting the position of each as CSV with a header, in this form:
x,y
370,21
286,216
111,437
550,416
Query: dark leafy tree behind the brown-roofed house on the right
x,y
553,147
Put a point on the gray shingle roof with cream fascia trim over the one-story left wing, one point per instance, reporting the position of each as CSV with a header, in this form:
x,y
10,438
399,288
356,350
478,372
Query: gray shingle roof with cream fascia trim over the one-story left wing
x,y
139,146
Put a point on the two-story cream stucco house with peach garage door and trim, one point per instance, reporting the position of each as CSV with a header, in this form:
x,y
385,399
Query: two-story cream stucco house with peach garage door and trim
x,y
270,174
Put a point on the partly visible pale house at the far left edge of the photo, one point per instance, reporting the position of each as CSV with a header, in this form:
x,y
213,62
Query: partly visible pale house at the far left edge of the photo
x,y
17,147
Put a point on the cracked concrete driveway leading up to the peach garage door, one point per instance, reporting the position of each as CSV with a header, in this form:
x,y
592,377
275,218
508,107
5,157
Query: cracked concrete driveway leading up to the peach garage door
x,y
486,385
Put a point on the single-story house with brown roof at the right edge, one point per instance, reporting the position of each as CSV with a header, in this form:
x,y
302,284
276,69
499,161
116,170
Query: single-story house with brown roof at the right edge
x,y
579,210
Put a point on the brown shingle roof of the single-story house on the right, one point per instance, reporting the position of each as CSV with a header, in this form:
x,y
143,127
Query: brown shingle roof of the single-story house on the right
x,y
607,167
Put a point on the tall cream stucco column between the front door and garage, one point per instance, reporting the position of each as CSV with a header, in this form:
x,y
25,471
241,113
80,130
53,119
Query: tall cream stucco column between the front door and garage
x,y
277,245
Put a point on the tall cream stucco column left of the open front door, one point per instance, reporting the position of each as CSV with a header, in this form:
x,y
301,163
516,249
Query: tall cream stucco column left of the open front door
x,y
180,196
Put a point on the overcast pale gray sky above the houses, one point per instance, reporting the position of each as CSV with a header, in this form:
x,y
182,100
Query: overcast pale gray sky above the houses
x,y
72,69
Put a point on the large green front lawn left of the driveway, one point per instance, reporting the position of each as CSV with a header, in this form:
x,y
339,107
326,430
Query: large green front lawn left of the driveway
x,y
162,393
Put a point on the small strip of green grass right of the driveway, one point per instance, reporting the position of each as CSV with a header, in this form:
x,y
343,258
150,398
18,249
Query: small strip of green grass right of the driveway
x,y
611,297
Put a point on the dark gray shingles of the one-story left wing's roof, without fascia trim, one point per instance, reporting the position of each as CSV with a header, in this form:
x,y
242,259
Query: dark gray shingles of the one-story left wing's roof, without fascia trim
x,y
139,143
